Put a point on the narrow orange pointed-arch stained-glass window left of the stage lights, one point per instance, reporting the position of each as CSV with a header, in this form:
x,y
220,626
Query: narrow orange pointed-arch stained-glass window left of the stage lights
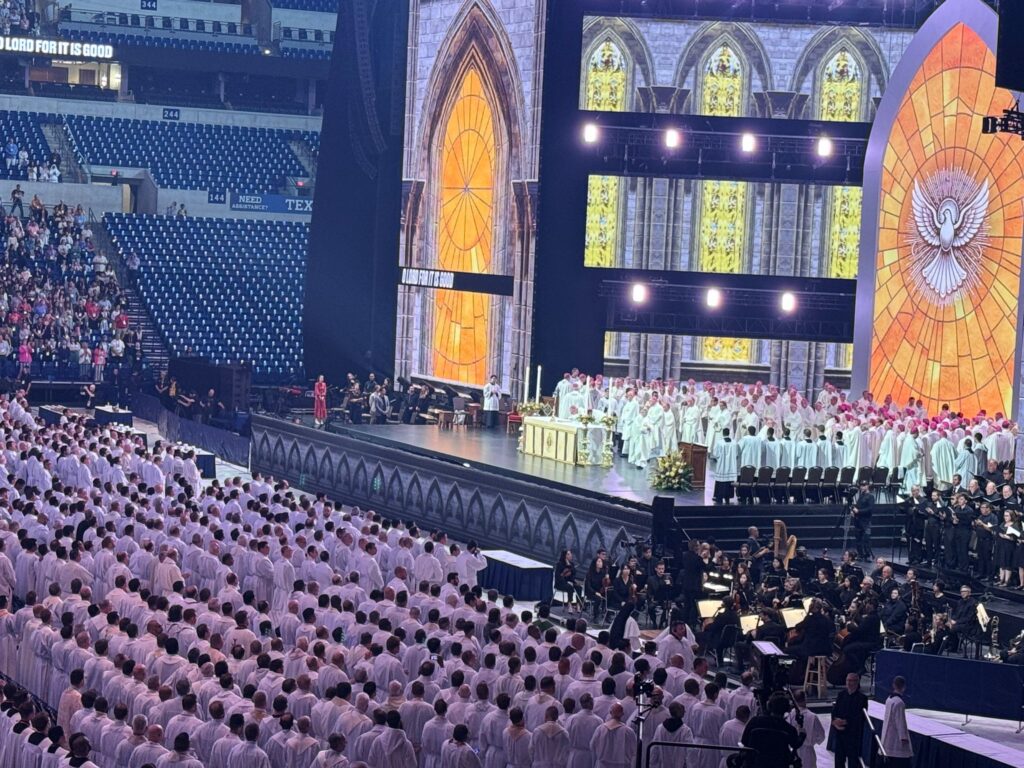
x,y
465,232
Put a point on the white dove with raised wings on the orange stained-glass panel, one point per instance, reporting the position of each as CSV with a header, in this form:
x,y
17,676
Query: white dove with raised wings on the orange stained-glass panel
x,y
948,236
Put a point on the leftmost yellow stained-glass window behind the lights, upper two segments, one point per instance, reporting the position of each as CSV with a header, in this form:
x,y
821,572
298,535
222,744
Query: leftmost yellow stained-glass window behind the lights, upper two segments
x,y
606,92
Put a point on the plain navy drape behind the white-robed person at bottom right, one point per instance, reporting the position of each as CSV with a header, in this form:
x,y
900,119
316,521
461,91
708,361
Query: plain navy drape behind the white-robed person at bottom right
x,y
954,685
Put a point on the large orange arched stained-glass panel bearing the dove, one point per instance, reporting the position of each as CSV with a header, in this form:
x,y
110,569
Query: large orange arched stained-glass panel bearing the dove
x,y
962,350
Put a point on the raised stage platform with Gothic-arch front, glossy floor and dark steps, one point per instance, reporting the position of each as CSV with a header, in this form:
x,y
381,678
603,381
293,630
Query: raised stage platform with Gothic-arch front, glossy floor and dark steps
x,y
477,485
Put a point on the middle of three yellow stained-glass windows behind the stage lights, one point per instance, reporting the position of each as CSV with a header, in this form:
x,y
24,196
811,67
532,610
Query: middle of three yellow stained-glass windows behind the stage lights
x,y
722,239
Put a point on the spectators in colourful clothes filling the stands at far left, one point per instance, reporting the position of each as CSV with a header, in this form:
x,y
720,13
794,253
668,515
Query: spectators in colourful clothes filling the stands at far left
x,y
63,312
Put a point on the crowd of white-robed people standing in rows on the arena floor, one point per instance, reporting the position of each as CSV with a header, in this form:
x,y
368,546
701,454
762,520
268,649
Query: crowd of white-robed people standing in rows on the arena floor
x,y
148,621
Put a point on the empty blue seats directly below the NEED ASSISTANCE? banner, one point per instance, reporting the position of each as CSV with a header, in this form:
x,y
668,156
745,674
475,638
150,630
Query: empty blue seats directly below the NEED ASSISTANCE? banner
x,y
230,289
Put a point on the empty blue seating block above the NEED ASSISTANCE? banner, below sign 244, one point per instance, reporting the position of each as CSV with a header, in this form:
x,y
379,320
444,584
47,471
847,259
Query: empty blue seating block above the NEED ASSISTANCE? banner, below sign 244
x,y
190,156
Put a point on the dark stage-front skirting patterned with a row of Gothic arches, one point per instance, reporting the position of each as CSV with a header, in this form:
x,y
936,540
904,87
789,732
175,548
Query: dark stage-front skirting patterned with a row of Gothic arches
x,y
499,511
